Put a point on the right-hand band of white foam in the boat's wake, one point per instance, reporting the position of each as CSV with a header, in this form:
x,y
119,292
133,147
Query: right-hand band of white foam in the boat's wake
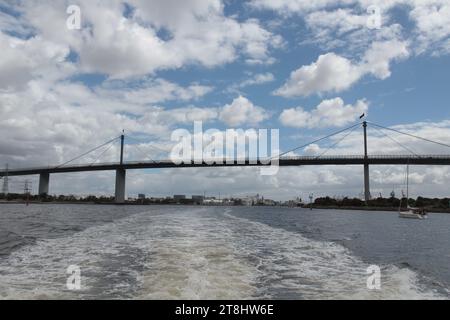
x,y
302,268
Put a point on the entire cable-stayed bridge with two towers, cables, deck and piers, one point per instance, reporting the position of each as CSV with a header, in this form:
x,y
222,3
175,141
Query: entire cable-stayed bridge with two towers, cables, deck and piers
x,y
284,159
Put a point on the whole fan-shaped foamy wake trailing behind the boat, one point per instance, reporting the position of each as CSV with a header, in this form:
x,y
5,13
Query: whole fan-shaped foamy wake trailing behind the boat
x,y
196,253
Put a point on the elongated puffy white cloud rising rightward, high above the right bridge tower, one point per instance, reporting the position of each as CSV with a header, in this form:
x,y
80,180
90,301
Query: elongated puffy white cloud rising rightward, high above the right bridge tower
x,y
333,73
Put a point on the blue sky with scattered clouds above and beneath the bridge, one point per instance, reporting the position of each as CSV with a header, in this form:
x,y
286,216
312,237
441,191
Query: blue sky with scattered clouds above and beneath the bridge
x,y
307,68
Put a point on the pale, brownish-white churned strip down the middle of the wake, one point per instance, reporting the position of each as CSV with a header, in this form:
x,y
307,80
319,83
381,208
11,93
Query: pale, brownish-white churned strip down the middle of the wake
x,y
195,260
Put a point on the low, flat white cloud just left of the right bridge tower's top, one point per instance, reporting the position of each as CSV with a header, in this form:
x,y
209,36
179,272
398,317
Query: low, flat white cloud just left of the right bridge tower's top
x,y
329,113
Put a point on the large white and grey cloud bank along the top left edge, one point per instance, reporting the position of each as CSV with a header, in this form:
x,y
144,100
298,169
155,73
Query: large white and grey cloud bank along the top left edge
x,y
123,42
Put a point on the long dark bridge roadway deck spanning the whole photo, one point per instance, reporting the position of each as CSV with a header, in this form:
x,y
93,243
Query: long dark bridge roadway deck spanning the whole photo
x,y
284,161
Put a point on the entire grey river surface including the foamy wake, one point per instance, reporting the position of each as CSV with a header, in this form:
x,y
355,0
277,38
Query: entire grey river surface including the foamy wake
x,y
190,252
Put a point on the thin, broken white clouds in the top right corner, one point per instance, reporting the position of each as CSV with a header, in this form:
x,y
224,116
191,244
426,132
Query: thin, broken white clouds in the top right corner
x,y
343,23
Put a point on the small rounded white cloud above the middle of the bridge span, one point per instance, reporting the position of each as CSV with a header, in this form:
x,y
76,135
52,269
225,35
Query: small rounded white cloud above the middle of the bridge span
x,y
242,111
